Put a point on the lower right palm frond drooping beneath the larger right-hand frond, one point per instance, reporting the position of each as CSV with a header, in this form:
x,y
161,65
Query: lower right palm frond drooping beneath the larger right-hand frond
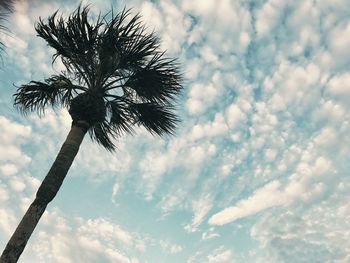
x,y
157,119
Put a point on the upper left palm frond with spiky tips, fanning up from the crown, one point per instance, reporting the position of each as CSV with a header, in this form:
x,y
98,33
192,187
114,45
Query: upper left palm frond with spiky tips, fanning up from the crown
x,y
74,41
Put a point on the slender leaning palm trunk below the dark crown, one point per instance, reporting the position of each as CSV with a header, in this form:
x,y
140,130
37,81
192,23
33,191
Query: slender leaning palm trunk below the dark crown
x,y
46,192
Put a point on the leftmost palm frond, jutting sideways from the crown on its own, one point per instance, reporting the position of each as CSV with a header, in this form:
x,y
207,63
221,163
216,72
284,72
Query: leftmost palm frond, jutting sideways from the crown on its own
x,y
36,96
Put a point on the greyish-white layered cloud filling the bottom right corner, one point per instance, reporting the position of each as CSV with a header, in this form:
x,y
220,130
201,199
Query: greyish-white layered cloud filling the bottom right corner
x,y
288,236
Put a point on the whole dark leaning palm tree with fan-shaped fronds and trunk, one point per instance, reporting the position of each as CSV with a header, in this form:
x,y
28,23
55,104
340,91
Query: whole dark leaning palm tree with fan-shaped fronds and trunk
x,y
116,77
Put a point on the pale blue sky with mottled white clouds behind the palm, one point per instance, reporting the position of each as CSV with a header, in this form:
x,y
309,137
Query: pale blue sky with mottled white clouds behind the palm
x,y
258,170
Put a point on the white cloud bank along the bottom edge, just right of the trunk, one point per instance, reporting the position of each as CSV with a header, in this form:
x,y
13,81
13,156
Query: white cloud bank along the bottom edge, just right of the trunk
x,y
95,240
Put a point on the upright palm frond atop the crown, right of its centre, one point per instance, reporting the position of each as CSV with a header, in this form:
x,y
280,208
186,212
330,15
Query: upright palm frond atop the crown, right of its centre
x,y
124,45
